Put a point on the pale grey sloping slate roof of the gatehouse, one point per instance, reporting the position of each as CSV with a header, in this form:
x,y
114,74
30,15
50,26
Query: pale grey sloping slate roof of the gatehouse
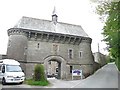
x,y
49,26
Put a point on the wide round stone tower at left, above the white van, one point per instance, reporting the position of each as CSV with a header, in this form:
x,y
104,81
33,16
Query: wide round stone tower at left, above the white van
x,y
17,44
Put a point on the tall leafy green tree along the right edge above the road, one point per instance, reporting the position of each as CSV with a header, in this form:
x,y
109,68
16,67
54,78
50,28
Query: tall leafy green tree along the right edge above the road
x,y
110,12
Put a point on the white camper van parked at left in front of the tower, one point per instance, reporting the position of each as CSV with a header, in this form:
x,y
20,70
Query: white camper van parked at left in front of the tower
x,y
11,72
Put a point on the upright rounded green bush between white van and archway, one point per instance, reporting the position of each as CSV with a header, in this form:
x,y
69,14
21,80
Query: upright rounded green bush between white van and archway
x,y
39,74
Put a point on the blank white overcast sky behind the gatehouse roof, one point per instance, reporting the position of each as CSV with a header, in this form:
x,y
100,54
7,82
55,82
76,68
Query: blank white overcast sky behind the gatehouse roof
x,y
79,12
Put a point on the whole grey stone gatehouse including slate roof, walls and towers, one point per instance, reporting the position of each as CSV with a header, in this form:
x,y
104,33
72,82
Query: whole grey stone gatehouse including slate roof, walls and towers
x,y
36,41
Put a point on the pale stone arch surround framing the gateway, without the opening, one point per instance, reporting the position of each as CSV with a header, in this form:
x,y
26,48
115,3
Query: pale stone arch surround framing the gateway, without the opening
x,y
61,65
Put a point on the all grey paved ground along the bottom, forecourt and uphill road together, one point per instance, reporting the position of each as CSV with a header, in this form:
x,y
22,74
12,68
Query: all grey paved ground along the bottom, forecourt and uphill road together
x,y
106,77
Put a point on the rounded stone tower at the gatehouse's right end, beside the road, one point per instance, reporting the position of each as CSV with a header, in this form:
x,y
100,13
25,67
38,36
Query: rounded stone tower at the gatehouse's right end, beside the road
x,y
88,60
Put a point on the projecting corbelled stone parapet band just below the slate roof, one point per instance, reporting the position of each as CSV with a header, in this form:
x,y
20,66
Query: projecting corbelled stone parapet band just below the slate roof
x,y
49,37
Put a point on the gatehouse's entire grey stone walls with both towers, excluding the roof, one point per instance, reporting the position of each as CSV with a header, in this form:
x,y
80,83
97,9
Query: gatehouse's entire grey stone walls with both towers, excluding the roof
x,y
31,47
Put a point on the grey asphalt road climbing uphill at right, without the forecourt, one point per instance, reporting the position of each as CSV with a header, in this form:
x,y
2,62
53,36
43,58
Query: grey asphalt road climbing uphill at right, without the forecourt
x,y
106,77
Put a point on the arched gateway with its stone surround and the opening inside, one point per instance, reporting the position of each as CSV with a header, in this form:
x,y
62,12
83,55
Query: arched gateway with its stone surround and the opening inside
x,y
57,65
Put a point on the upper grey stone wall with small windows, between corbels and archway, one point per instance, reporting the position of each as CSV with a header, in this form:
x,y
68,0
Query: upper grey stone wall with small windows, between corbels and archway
x,y
45,49
